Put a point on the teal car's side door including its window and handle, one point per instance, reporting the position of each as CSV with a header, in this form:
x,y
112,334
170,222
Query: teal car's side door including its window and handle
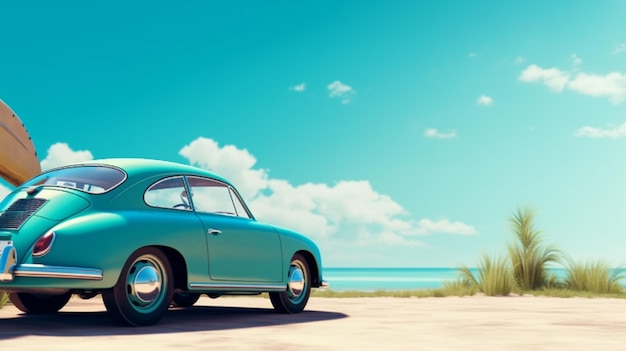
x,y
240,248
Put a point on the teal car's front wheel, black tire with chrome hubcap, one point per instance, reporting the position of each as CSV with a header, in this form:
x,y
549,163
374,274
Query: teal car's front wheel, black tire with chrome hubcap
x,y
294,299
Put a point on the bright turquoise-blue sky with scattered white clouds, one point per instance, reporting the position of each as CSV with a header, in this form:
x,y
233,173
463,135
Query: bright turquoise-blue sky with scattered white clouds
x,y
397,133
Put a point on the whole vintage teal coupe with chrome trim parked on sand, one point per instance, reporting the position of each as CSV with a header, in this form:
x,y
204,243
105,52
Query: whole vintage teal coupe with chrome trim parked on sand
x,y
145,235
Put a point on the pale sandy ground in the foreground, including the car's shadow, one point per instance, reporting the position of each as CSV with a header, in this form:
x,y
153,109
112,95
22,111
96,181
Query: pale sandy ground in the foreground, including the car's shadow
x,y
248,323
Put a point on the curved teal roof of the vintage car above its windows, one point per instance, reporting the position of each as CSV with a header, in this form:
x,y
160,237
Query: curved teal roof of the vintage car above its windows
x,y
138,168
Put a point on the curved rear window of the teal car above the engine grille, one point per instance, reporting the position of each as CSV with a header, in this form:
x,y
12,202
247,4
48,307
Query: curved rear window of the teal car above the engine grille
x,y
96,179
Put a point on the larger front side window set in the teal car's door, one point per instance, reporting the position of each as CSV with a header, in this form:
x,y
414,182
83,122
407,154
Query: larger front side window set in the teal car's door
x,y
211,196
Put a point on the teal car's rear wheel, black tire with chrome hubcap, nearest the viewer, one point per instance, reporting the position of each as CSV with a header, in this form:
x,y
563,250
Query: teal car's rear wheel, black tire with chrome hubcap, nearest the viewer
x,y
143,291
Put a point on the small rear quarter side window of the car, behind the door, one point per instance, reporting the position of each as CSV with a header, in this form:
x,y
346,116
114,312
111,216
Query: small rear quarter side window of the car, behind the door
x,y
168,193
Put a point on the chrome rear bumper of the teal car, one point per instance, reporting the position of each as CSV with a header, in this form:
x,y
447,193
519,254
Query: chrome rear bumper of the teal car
x,y
9,269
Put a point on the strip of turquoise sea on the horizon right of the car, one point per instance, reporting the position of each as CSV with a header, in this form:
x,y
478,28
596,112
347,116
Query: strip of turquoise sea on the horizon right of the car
x,y
370,279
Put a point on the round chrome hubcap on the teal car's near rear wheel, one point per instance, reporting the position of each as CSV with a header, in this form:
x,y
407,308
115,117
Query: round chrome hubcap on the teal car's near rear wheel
x,y
144,283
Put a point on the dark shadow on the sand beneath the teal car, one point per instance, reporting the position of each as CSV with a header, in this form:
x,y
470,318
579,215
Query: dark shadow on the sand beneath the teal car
x,y
197,318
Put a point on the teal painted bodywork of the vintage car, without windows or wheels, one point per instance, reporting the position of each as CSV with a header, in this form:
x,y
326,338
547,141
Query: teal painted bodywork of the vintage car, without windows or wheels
x,y
97,233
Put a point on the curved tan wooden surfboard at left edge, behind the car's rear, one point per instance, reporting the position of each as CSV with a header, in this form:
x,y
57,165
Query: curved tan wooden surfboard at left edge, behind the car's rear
x,y
18,158
